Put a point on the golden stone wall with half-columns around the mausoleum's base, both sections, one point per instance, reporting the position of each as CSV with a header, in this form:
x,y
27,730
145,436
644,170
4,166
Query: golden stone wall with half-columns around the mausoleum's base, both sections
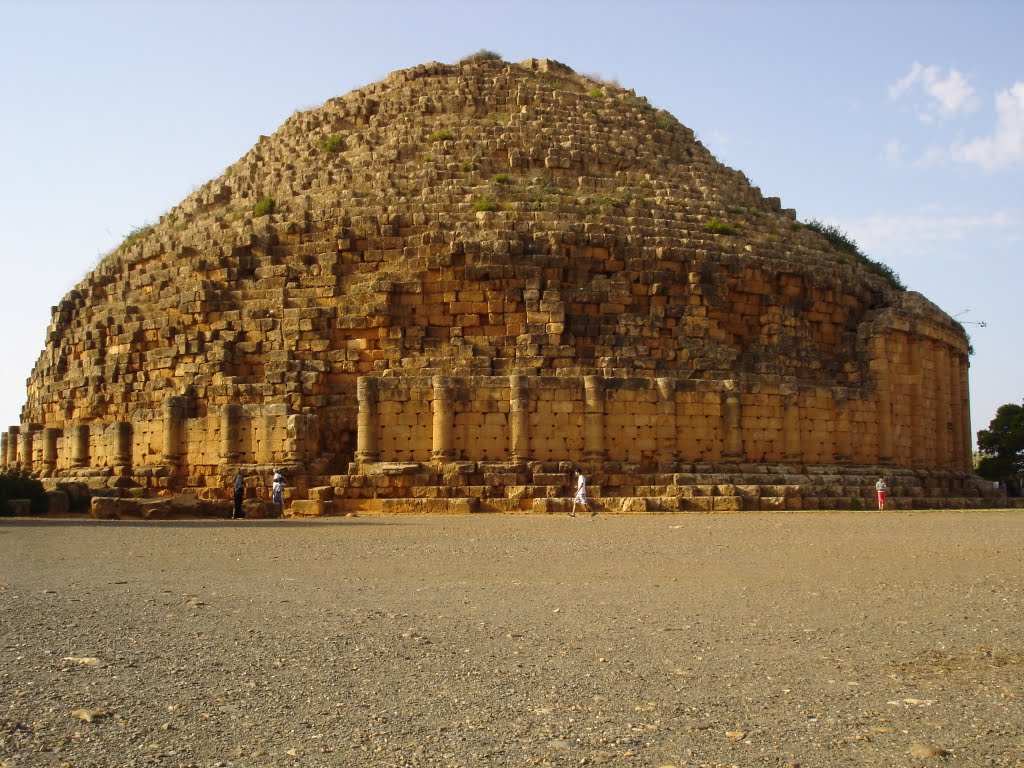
x,y
916,417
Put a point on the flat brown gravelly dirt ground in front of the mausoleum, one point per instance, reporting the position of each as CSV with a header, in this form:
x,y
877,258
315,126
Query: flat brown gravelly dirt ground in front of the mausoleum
x,y
825,639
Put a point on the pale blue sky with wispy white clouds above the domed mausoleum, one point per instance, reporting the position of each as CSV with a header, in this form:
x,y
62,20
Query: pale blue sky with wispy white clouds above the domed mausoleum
x,y
900,122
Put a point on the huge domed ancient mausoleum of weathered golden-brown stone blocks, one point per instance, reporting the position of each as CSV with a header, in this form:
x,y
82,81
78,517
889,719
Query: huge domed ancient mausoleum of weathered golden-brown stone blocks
x,y
449,289
